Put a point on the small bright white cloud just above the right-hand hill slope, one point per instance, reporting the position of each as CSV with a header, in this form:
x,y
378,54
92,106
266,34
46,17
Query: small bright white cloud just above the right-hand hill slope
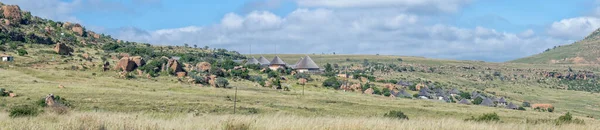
x,y
574,28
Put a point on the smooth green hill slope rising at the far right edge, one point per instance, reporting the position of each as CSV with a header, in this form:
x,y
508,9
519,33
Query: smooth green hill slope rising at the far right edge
x,y
586,51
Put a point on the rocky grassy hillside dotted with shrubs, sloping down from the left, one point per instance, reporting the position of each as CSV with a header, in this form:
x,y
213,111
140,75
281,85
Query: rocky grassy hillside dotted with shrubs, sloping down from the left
x,y
215,92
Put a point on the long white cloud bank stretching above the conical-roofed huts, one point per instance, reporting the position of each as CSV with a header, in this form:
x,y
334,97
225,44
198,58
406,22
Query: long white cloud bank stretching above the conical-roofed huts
x,y
308,31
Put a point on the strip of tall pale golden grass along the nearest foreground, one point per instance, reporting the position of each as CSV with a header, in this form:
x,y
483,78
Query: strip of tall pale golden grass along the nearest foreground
x,y
129,121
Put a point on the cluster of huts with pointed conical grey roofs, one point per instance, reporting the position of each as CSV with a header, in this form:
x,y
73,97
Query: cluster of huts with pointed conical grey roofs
x,y
304,65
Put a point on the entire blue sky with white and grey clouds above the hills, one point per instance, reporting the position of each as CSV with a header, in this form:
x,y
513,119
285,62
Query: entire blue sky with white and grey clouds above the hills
x,y
484,30
